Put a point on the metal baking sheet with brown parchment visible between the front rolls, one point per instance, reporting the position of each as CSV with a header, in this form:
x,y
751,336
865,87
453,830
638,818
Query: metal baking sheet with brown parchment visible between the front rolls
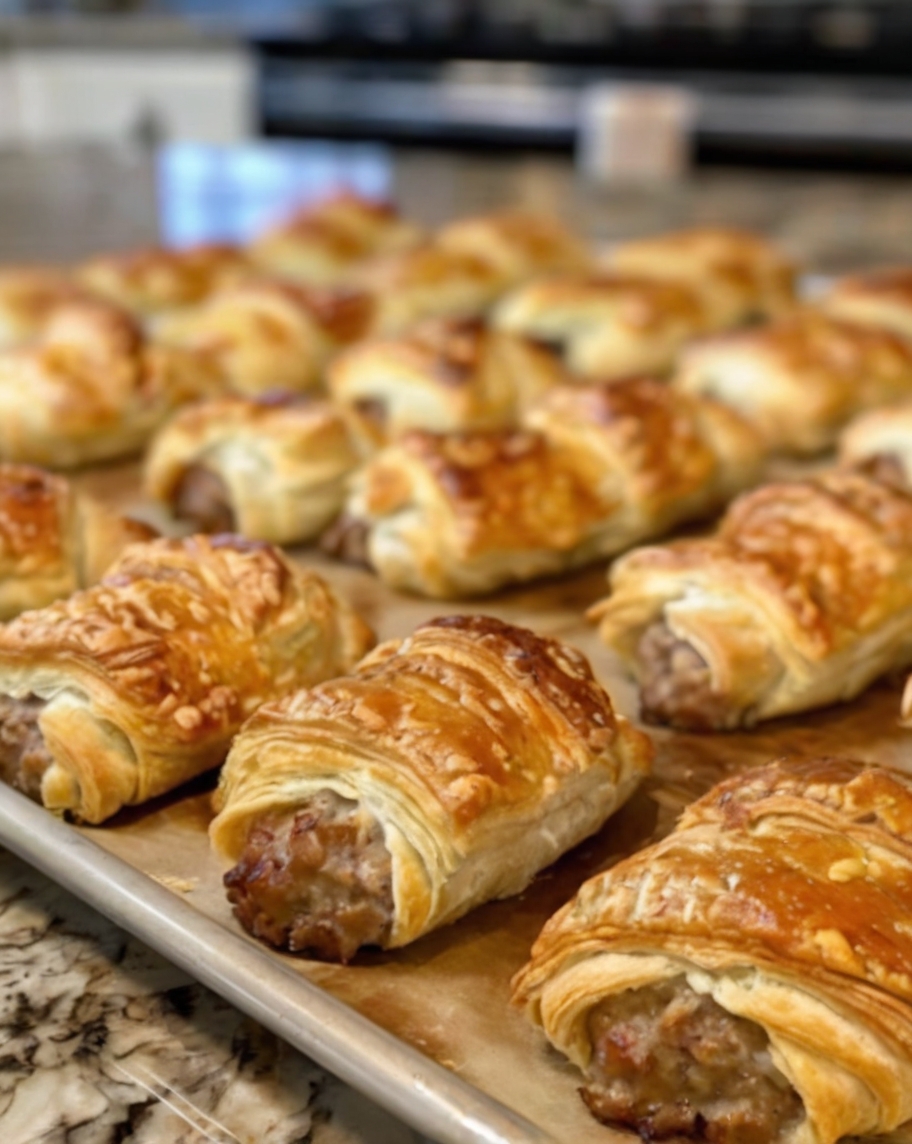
x,y
445,999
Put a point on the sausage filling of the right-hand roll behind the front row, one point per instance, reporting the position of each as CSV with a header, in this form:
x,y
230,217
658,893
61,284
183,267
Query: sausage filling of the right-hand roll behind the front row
x,y
676,685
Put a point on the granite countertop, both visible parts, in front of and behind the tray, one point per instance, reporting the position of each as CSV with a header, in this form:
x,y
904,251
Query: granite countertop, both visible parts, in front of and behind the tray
x,y
104,1042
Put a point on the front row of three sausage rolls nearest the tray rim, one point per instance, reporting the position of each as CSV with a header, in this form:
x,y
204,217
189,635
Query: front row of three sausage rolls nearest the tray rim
x,y
734,979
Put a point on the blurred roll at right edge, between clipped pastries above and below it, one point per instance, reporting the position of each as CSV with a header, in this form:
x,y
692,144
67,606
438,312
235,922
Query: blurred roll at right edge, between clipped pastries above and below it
x,y
802,379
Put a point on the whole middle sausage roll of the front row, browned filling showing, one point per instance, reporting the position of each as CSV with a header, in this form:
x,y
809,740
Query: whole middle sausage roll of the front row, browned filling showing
x,y
447,770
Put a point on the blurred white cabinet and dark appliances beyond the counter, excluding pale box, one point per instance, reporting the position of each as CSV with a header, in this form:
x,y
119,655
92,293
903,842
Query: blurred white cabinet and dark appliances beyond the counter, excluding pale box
x,y
798,82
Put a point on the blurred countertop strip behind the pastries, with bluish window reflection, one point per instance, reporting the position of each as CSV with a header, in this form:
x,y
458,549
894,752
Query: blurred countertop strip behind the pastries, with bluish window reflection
x,y
70,202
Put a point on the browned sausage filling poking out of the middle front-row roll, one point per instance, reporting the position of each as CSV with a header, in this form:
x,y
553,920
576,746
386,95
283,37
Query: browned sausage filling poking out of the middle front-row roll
x,y
318,880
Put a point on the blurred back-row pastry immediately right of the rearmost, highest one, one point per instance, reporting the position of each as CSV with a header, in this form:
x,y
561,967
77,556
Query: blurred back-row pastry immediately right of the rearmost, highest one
x,y
521,244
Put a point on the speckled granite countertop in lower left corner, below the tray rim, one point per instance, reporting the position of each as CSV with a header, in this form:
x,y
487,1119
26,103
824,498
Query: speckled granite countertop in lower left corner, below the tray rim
x,y
105,1042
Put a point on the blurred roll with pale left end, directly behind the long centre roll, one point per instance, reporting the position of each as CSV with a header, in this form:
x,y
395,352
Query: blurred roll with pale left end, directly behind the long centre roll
x,y
442,377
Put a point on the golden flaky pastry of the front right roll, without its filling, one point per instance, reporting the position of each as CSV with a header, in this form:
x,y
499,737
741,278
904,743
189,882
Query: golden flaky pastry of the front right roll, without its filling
x,y
784,896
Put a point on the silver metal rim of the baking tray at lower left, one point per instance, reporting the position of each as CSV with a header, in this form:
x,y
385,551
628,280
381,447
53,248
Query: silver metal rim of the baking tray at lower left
x,y
399,1078
